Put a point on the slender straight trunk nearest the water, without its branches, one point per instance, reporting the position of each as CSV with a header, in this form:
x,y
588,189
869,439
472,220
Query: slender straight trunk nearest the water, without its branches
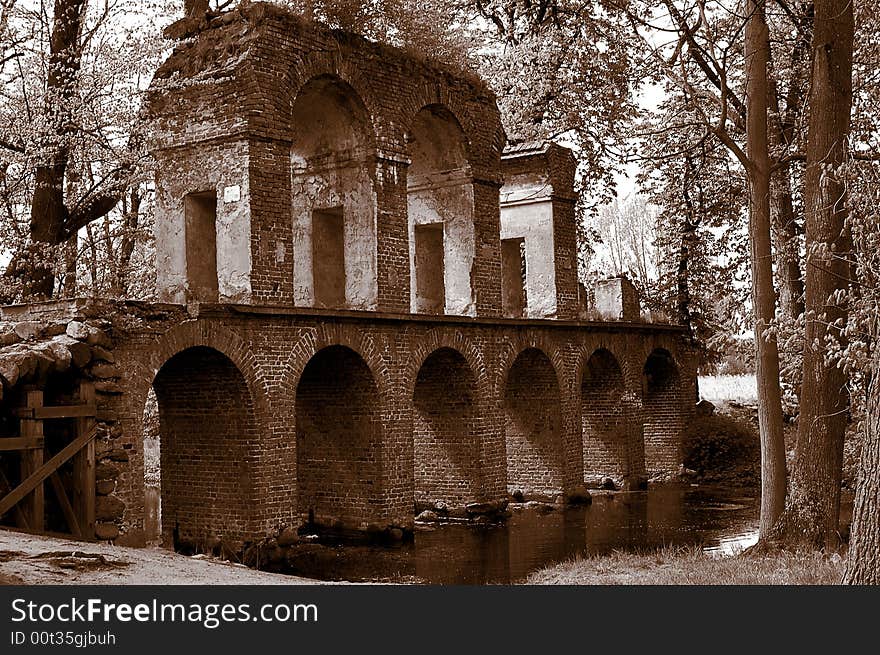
x,y
757,56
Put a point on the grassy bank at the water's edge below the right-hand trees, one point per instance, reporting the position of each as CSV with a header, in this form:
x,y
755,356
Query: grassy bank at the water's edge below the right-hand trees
x,y
689,565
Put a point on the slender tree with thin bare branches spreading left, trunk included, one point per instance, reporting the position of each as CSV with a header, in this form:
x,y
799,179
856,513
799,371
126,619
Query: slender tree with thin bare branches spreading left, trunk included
x,y
702,61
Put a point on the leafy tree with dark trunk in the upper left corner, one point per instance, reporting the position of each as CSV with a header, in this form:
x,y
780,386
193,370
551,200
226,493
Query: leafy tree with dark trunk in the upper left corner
x,y
72,146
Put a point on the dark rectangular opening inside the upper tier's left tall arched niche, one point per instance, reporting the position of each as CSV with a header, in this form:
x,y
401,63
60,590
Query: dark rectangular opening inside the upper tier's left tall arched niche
x,y
328,257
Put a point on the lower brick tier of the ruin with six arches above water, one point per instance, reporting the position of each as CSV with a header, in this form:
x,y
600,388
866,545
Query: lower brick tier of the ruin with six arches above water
x,y
267,413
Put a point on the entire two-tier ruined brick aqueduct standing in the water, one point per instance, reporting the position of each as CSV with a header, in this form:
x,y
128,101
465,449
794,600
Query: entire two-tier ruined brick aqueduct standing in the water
x,y
369,307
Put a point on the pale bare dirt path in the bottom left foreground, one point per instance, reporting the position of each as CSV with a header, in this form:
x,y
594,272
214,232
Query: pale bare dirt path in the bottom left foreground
x,y
35,560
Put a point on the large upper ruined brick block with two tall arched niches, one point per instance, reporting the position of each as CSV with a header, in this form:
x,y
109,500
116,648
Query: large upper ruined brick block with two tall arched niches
x,y
284,152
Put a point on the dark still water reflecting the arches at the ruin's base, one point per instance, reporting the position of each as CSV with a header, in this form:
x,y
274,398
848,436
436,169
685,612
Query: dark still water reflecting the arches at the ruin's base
x,y
721,521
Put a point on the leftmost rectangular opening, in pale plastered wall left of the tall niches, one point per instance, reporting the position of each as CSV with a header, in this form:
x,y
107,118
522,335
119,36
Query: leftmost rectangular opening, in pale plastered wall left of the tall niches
x,y
200,229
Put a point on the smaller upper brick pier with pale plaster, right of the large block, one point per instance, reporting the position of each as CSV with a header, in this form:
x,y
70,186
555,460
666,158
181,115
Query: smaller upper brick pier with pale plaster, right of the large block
x,y
539,241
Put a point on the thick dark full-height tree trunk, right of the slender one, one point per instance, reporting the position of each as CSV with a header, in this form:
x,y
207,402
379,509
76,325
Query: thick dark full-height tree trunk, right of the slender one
x,y
813,507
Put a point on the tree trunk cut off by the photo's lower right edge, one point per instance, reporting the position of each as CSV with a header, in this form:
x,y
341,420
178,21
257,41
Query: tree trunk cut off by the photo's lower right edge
x,y
863,556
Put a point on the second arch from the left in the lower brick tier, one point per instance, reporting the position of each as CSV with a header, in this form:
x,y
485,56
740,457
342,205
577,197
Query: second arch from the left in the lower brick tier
x,y
338,441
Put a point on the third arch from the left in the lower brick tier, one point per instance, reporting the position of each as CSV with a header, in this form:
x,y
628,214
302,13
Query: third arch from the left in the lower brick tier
x,y
446,438
